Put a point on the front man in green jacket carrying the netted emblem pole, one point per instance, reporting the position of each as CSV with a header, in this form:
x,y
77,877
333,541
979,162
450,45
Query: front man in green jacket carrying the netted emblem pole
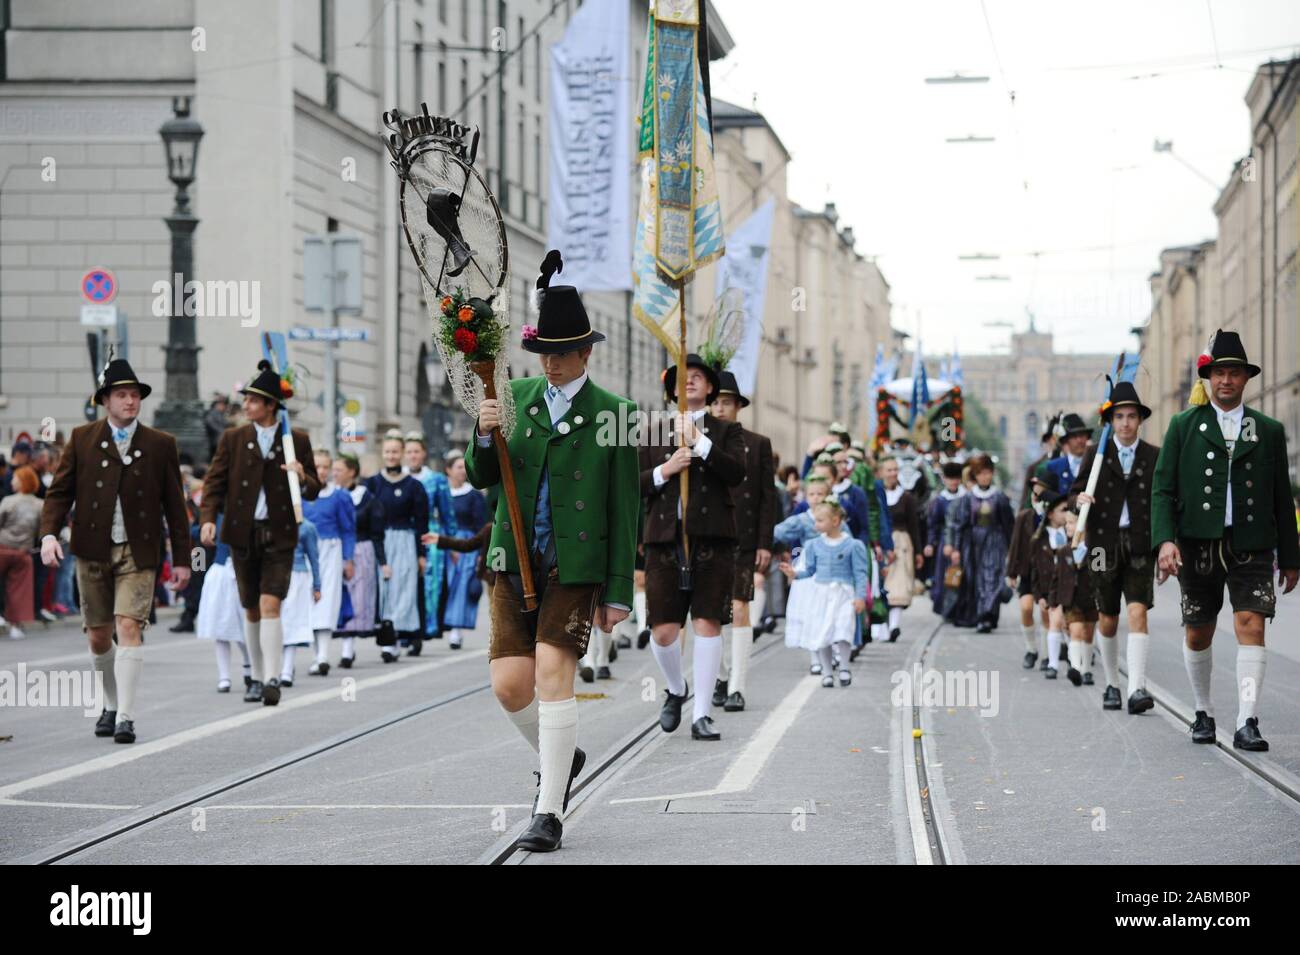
x,y
579,496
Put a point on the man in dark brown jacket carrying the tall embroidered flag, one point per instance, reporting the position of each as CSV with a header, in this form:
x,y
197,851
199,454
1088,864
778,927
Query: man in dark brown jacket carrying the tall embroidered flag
x,y
714,457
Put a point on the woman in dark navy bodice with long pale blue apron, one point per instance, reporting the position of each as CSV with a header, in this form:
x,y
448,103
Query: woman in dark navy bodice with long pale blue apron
x,y
406,509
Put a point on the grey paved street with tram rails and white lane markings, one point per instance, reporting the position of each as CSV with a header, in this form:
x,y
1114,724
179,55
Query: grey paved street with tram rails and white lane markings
x,y
805,775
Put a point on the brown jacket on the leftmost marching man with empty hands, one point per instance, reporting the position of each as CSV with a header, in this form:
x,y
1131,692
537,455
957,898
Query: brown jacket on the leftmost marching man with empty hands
x,y
94,476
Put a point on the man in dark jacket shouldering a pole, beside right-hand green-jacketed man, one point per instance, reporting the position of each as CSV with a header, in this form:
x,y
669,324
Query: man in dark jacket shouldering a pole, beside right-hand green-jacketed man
x,y
1119,533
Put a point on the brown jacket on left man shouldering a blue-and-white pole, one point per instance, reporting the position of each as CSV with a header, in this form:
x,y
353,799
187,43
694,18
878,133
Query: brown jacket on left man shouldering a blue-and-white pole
x,y
239,472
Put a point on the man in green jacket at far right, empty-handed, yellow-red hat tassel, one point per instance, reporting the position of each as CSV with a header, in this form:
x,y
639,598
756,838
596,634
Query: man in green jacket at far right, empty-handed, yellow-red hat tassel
x,y
1221,506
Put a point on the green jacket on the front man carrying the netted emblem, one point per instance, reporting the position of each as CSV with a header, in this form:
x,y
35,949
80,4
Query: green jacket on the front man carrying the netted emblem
x,y
595,485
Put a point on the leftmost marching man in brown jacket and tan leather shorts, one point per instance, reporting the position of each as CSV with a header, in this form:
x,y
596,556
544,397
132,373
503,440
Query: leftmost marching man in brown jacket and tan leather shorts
x,y
124,479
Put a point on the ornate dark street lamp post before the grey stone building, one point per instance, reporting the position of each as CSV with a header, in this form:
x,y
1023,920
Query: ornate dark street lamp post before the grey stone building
x,y
181,411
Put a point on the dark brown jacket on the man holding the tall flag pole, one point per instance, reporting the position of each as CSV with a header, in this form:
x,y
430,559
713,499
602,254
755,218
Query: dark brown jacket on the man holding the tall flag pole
x,y
710,507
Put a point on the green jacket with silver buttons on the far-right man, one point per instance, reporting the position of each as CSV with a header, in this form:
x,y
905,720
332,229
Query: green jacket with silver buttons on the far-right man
x,y
1191,480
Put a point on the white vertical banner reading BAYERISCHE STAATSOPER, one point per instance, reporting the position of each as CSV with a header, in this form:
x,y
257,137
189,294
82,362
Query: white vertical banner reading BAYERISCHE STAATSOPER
x,y
590,210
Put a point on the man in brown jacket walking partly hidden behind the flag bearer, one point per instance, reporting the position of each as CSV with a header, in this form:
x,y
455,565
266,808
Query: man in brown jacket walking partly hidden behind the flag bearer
x,y
756,516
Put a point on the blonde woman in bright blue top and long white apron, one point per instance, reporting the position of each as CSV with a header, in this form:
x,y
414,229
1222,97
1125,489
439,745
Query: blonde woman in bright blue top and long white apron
x,y
335,518
